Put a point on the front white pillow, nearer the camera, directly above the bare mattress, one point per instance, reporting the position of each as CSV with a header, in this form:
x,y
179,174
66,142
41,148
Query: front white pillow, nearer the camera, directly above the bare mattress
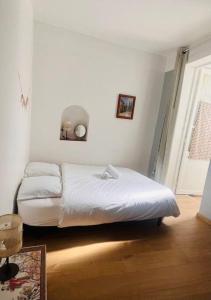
x,y
40,187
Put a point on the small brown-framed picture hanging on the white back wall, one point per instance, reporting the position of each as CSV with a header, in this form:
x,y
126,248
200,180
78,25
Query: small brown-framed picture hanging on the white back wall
x,y
125,106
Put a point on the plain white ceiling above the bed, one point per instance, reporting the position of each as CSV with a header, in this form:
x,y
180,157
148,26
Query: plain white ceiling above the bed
x,y
150,25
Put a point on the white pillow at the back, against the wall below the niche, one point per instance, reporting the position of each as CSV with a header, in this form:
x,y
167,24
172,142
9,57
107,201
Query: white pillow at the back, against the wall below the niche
x,y
41,169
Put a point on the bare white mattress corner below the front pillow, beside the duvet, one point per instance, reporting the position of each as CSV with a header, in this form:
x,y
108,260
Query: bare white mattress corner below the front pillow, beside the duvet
x,y
40,212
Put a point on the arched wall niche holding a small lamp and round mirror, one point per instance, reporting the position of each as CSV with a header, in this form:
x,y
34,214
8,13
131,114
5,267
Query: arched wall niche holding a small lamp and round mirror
x,y
74,124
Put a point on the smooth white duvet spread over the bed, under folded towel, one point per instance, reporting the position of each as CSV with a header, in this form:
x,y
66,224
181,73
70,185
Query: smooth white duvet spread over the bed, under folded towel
x,y
88,199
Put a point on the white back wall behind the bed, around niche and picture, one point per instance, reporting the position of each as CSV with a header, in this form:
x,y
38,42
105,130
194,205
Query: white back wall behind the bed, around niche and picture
x,y
71,69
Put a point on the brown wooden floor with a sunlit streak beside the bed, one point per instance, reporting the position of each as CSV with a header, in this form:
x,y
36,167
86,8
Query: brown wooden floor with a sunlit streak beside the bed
x,y
130,261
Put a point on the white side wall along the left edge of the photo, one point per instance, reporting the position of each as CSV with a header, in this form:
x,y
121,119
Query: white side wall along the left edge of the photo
x,y
16,29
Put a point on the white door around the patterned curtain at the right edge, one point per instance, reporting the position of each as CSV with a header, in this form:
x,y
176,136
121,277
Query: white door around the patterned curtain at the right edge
x,y
192,173
